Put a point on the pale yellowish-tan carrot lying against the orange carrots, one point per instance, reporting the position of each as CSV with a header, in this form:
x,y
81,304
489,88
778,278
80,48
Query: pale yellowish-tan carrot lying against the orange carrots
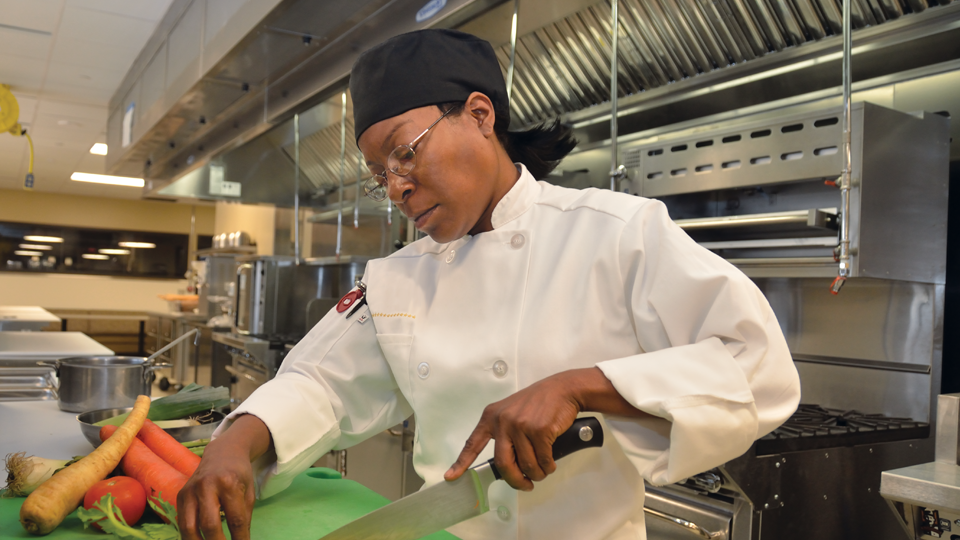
x,y
54,499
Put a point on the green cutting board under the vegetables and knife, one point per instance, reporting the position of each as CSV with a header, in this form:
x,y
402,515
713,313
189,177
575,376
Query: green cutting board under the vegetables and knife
x,y
314,505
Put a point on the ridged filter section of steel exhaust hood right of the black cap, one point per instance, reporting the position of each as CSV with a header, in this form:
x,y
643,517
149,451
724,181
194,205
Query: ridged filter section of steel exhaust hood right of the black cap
x,y
671,50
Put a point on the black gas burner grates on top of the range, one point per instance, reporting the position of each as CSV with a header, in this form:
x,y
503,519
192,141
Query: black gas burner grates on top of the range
x,y
813,427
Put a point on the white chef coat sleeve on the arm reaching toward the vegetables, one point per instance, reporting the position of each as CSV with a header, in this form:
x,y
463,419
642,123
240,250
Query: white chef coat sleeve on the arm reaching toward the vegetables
x,y
334,390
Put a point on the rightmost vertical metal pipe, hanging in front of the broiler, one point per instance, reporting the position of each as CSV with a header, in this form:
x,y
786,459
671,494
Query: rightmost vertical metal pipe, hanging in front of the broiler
x,y
846,151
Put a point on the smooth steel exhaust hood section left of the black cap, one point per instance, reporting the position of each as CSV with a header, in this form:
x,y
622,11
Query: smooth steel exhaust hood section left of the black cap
x,y
173,112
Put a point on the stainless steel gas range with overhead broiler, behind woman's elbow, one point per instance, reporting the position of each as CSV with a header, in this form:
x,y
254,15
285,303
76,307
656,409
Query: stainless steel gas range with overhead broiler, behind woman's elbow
x,y
759,192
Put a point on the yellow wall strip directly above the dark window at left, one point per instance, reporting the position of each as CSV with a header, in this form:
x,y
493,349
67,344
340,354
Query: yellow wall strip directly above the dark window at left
x,y
102,213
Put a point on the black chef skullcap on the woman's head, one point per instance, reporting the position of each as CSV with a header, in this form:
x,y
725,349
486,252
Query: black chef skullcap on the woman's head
x,y
422,68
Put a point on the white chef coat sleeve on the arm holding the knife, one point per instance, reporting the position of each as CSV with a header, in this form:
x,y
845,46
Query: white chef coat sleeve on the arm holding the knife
x,y
716,373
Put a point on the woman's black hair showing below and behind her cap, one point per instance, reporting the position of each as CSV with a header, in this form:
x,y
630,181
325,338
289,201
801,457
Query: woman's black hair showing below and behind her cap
x,y
540,148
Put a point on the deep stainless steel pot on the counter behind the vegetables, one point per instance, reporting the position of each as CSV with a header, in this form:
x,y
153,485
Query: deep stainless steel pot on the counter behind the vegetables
x,y
89,383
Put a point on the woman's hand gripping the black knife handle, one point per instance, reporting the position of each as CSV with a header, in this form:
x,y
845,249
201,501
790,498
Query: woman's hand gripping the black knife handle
x,y
524,426
